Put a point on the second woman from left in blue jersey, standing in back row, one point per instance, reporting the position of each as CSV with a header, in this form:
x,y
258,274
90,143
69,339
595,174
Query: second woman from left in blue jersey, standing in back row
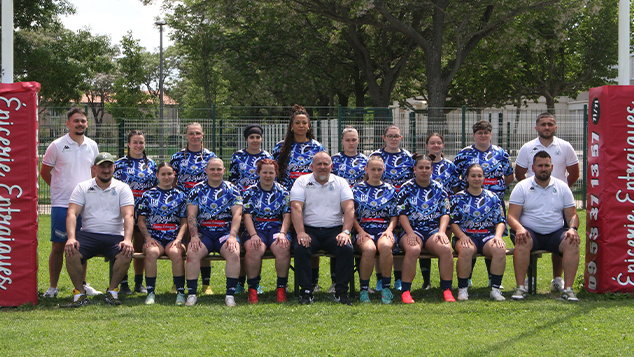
x,y
189,165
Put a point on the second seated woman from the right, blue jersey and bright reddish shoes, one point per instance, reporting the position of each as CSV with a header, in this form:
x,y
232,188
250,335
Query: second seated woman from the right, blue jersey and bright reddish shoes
x,y
423,208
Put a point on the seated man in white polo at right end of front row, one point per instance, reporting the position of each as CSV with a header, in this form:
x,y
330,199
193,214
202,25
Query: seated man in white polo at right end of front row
x,y
537,209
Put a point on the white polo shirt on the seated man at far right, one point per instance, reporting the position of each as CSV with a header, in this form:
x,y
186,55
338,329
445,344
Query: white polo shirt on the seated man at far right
x,y
542,208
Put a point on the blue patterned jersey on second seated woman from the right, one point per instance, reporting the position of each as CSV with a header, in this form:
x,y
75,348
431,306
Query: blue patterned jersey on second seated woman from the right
x,y
423,206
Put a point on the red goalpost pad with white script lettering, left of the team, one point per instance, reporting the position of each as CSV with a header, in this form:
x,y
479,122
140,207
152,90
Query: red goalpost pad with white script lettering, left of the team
x,y
18,193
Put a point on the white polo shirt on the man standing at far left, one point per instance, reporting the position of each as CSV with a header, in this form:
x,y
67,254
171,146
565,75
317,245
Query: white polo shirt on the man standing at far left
x,y
71,165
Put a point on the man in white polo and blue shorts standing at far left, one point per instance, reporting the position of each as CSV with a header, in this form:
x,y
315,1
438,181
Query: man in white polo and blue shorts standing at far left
x,y
66,163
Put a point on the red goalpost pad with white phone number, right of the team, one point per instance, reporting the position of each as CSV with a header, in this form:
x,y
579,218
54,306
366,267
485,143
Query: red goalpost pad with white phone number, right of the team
x,y
610,200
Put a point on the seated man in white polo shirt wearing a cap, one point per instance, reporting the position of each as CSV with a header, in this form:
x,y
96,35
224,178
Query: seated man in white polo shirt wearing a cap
x,y
107,208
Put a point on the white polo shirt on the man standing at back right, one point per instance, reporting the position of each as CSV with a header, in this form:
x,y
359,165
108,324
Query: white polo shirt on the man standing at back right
x,y
562,155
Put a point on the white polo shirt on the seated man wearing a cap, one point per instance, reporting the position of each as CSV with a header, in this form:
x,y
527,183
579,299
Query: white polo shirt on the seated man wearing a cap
x,y
101,212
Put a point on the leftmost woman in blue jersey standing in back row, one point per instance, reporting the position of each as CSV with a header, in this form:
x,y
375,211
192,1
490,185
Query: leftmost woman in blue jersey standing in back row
x,y
139,172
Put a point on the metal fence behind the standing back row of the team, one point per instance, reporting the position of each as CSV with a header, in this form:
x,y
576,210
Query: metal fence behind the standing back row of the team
x,y
223,127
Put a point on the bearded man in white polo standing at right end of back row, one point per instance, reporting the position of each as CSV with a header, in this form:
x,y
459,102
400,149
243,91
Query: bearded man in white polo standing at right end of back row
x,y
563,158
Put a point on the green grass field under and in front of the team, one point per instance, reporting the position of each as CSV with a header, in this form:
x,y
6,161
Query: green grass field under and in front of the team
x,y
540,325
